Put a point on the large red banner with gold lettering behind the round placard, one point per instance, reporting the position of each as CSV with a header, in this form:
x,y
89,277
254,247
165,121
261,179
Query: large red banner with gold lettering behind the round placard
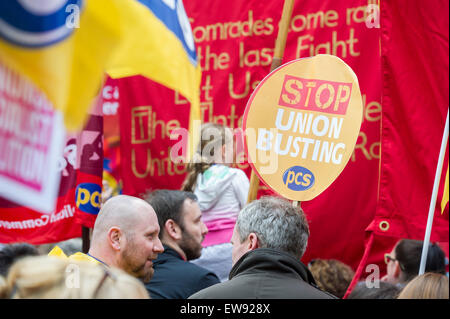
x,y
235,47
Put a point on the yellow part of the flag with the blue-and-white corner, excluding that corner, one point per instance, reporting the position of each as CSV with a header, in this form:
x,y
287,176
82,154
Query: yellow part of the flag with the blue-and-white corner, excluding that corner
x,y
162,59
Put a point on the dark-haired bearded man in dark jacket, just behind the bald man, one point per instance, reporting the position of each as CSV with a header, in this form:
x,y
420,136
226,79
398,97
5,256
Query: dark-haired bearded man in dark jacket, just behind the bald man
x,y
182,232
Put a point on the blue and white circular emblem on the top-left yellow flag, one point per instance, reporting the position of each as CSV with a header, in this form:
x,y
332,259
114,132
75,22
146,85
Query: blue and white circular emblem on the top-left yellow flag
x,y
38,23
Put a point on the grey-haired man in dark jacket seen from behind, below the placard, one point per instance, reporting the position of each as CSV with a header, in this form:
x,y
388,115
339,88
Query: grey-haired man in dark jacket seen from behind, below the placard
x,y
269,238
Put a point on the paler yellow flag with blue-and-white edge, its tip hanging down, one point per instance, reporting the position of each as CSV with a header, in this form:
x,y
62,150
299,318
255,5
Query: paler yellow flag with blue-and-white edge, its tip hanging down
x,y
160,45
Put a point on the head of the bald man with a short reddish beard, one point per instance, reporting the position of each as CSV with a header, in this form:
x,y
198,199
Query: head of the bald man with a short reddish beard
x,y
126,236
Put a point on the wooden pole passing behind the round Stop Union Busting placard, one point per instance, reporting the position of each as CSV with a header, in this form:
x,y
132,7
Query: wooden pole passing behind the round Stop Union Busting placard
x,y
280,45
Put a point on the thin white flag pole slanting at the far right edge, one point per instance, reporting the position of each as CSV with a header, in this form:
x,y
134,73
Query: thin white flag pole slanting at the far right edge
x,y
431,210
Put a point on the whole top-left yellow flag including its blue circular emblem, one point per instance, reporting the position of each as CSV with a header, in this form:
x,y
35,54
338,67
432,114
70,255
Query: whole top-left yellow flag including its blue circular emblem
x,y
62,47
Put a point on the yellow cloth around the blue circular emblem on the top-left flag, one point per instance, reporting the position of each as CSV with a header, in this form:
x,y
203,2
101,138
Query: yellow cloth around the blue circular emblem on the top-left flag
x,y
70,72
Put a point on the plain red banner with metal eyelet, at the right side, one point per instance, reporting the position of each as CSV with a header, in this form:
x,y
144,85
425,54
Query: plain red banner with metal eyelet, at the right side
x,y
415,67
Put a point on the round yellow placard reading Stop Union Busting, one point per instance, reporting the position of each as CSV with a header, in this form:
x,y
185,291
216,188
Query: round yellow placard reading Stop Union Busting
x,y
301,125
